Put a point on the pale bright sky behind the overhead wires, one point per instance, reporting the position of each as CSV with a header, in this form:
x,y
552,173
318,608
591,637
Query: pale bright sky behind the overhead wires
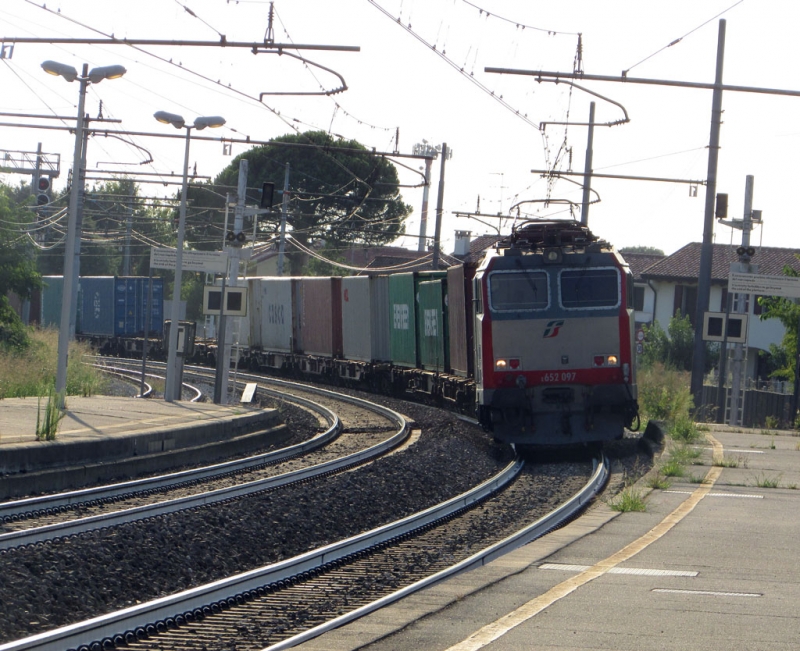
x,y
419,76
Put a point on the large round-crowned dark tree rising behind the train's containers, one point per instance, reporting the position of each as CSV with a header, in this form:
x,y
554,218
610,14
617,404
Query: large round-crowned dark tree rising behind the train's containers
x,y
340,193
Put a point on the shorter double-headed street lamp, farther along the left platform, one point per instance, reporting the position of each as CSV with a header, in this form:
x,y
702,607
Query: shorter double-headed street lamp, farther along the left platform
x,y
172,389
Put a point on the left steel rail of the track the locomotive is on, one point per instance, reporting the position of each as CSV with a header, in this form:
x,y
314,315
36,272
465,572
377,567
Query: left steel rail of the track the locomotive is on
x,y
113,624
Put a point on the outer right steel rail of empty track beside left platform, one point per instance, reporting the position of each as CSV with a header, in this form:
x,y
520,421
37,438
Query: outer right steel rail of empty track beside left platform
x,y
72,527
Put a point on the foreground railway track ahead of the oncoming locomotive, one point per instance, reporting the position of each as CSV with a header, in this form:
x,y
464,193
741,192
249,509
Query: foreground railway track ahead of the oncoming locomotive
x,y
285,603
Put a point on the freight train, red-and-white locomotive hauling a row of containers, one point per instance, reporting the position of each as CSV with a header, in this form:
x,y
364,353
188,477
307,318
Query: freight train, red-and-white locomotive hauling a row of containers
x,y
536,340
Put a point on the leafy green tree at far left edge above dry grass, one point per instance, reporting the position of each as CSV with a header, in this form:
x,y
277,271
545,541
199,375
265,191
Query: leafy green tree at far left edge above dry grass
x,y
17,266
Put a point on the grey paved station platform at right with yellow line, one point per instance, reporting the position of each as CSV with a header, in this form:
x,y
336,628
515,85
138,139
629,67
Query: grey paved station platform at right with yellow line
x,y
711,564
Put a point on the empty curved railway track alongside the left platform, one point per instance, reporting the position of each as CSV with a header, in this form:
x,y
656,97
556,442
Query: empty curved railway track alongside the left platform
x,y
38,519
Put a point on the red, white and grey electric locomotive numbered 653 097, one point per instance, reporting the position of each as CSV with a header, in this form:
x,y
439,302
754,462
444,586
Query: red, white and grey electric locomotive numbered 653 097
x,y
554,323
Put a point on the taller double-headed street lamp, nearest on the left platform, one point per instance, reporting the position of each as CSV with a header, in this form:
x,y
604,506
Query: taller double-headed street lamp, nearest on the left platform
x,y
95,76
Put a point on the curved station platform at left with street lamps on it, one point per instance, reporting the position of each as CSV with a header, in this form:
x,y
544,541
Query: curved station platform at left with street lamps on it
x,y
104,438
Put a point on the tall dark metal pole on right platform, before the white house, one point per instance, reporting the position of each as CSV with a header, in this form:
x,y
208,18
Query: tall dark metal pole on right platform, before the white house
x,y
706,252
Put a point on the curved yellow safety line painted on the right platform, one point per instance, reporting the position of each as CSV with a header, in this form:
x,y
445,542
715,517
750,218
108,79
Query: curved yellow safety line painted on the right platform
x,y
491,632
